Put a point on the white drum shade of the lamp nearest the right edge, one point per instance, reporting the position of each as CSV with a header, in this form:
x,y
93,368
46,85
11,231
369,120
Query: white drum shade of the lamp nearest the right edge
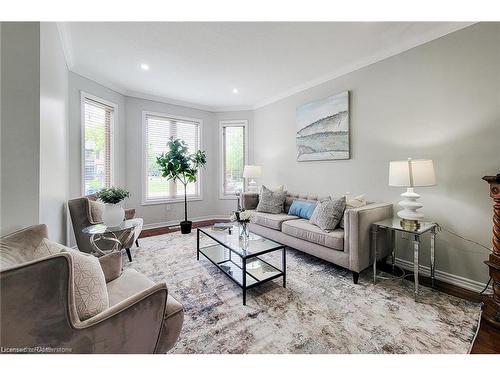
x,y
412,173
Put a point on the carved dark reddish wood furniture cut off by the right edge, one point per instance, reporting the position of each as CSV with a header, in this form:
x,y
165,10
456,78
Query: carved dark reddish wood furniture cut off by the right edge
x,y
491,308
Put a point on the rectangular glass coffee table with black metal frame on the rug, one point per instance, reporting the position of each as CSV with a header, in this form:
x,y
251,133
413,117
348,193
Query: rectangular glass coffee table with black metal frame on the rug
x,y
241,260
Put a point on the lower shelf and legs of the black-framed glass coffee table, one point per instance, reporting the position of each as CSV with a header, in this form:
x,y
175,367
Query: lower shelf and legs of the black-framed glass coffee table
x,y
246,272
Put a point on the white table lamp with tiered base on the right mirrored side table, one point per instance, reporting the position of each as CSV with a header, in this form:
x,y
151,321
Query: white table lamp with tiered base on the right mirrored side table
x,y
411,173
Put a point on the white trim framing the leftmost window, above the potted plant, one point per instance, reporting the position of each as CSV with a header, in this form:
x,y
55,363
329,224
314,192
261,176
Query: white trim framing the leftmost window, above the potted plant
x,y
85,95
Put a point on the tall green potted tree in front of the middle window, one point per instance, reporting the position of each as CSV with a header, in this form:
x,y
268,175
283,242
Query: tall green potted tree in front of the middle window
x,y
177,164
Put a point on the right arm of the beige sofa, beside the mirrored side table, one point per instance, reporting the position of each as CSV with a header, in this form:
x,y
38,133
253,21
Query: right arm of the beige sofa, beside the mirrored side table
x,y
357,226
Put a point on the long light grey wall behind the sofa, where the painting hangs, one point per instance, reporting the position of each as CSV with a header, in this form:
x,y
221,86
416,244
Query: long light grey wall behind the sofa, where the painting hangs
x,y
439,101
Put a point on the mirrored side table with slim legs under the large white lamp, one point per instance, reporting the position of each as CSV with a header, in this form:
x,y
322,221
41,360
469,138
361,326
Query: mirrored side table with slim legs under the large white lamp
x,y
394,226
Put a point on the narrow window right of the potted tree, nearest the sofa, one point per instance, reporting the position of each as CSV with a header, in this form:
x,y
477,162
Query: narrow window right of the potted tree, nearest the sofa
x,y
234,152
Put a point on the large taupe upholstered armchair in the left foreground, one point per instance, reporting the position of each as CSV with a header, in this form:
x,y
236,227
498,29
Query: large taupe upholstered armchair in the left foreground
x,y
38,312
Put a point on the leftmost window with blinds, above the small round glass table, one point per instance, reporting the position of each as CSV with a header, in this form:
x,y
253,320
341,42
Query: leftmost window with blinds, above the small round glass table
x,y
97,123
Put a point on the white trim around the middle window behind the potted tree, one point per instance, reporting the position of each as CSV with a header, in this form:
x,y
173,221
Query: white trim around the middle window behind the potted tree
x,y
149,202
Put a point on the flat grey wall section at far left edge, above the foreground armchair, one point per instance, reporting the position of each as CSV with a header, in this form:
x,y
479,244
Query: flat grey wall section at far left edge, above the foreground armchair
x,y
20,132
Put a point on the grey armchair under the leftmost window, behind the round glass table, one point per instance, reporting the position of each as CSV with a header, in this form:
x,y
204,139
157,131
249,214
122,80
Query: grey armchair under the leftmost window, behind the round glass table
x,y
81,217
